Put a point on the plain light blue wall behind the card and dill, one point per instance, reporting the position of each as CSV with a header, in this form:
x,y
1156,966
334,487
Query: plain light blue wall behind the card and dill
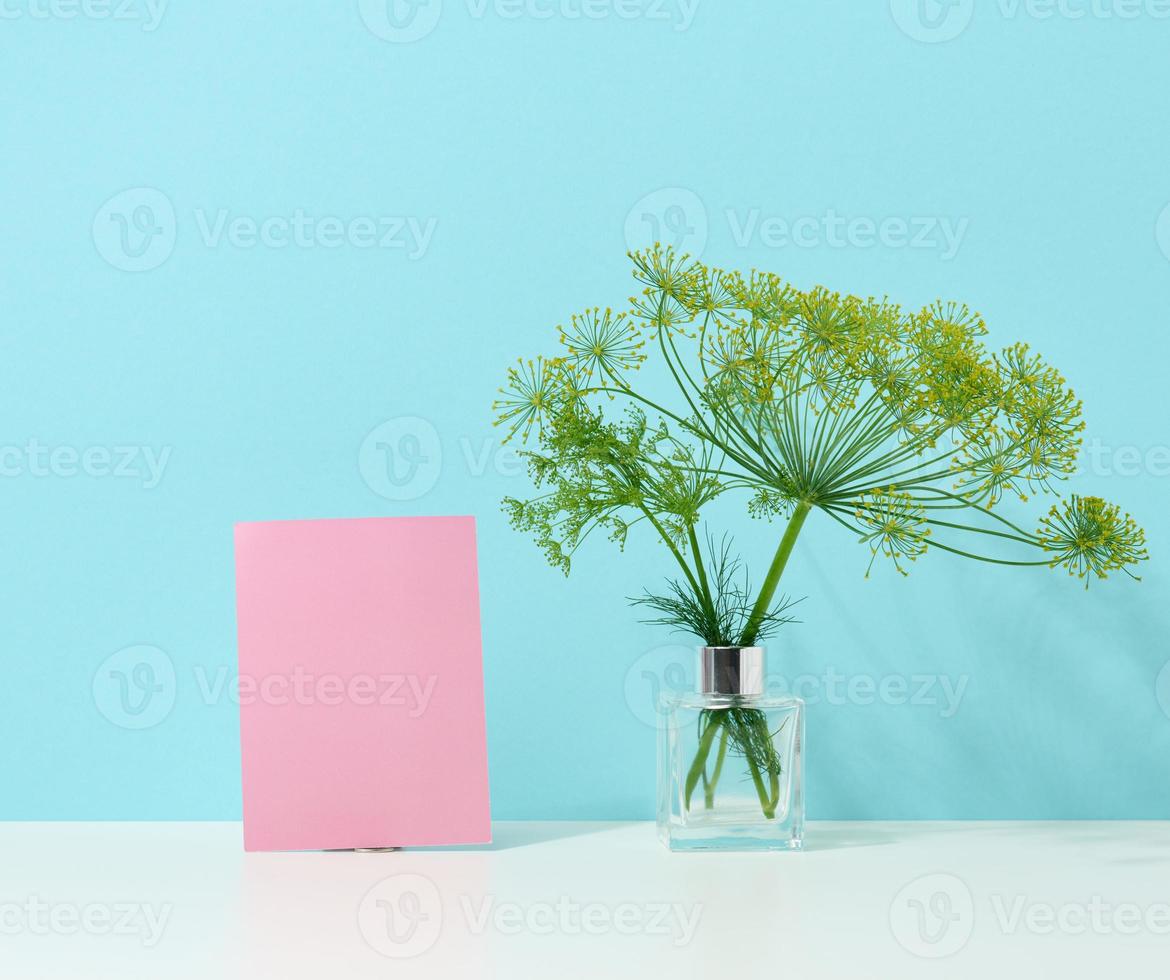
x,y
532,142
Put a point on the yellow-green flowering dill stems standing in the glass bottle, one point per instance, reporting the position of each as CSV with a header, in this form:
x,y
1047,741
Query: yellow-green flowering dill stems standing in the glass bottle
x,y
900,426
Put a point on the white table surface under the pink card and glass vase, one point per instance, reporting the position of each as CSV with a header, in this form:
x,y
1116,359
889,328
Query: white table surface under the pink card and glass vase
x,y
591,900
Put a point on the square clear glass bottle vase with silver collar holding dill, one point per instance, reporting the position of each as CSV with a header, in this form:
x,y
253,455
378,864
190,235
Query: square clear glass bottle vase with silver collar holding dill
x,y
731,771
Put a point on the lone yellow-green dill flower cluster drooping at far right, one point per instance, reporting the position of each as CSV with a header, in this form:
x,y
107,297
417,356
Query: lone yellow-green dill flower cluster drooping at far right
x,y
1088,535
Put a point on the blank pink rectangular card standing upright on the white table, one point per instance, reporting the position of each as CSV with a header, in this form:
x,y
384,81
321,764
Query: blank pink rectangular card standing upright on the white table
x,y
361,684
